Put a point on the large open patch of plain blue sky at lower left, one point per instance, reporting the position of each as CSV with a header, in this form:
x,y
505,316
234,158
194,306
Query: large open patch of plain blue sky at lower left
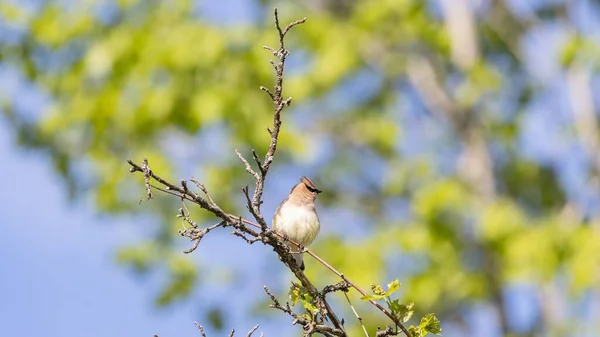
x,y
59,276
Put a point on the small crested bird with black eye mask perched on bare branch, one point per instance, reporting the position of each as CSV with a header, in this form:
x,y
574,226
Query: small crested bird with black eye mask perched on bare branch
x,y
296,217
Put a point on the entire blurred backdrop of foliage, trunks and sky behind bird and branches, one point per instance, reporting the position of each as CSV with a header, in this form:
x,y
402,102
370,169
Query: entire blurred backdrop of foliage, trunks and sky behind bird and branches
x,y
456,140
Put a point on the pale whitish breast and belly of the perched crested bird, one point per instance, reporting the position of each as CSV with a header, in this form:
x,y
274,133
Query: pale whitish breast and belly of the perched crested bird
x,y
300,224
